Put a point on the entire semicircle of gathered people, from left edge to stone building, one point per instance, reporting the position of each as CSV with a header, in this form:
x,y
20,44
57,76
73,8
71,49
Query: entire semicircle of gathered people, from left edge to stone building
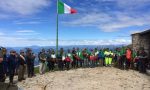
x,y
123,58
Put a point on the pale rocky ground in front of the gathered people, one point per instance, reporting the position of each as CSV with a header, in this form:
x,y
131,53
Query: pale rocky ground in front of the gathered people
x,y
100,78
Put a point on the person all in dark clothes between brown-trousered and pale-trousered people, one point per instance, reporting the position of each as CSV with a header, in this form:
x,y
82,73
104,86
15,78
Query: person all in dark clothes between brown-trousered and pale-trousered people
x,y
30,63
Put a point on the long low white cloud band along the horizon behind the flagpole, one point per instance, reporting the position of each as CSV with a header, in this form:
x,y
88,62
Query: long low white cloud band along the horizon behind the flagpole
x,y
20,41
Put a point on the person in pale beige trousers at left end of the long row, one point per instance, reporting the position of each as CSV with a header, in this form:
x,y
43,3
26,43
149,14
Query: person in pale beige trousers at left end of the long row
x,y
42,57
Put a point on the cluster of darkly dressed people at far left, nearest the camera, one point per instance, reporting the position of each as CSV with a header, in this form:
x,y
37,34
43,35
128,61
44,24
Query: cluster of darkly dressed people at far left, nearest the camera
x,y
16,64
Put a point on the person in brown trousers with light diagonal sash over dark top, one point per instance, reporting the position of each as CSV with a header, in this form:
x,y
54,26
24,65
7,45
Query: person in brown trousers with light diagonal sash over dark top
x,y
22,66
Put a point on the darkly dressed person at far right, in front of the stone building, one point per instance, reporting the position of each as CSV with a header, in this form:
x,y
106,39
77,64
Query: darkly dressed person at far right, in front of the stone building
x,y
142,60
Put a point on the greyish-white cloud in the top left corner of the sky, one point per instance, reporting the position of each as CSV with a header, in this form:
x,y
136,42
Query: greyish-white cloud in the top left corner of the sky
x,y
23,7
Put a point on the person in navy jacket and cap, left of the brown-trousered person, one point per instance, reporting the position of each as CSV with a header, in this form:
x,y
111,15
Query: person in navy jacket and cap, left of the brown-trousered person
x,y
11,66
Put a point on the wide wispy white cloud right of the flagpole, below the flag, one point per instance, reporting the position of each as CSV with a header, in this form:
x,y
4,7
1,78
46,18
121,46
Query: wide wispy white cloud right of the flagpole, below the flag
x,y
110,22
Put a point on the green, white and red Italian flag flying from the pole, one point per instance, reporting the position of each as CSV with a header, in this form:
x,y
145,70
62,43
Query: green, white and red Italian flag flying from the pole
x,y
64,8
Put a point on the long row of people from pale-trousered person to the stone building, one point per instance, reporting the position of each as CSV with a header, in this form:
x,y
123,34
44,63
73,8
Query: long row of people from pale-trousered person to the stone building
x,y
123,58
